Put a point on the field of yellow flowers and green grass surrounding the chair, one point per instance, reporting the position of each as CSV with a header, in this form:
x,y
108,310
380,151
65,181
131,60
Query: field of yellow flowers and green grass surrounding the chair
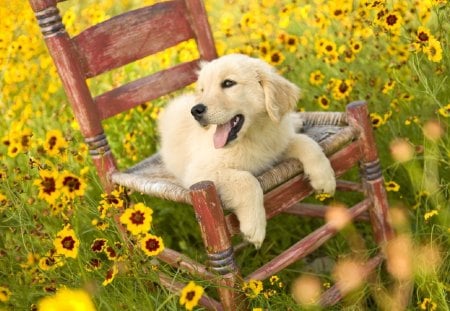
x,y
57,229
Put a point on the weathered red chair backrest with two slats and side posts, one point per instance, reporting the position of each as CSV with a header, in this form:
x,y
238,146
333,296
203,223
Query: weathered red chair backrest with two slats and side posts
x,y
114,43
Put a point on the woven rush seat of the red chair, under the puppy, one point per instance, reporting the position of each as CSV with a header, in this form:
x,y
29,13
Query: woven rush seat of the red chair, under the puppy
x,y
150,176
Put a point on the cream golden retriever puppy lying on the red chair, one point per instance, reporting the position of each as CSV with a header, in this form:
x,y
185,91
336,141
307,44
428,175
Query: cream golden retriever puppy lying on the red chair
x,y
236,125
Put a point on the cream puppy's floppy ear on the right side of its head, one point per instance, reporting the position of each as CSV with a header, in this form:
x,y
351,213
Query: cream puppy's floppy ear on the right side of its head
x,y
281,95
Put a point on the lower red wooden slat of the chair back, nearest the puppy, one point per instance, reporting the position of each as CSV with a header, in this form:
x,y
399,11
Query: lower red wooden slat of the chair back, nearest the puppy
x,y
139,91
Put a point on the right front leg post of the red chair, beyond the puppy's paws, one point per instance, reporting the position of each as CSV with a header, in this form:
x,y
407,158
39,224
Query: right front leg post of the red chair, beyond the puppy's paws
x,y
358,116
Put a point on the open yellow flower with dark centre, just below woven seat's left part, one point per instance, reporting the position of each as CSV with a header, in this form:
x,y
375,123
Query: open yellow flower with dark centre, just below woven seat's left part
x,y
138,218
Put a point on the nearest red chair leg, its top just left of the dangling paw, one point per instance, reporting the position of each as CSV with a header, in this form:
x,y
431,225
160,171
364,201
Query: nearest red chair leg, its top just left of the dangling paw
x,y
209,213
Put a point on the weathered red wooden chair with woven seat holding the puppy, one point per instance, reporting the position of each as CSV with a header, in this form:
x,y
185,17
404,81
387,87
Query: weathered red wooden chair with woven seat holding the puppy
x,y
345,137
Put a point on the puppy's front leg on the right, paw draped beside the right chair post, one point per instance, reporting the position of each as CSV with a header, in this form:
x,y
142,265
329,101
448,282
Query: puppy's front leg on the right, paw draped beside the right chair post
x,y
315,164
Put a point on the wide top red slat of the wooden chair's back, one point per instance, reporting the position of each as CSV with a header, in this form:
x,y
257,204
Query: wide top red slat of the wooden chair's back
x,y
132,36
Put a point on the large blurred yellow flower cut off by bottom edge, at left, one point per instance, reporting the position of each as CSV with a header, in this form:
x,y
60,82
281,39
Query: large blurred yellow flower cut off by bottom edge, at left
x,y
67,299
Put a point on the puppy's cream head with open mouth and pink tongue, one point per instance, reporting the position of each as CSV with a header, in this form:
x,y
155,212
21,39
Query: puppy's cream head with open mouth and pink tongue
x,y
234,90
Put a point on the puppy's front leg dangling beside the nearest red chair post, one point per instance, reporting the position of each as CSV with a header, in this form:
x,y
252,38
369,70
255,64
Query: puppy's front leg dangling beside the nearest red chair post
x,y
241,192
